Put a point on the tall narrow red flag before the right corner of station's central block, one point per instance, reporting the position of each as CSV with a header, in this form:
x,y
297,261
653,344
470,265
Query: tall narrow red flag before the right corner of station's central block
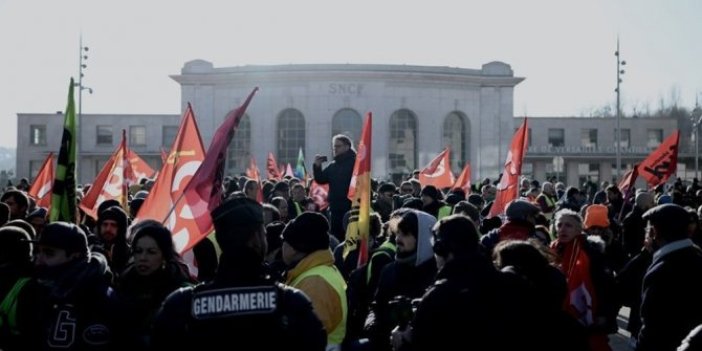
x,y
508,189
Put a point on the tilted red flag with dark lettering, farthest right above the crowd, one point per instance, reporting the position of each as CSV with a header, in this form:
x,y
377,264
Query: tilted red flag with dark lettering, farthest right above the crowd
x,y
662,163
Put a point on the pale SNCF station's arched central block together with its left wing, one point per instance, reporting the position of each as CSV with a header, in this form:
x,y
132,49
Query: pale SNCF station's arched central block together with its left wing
x,y
417,111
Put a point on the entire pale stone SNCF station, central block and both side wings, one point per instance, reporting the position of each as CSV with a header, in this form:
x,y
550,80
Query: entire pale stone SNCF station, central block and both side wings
x,y
417,111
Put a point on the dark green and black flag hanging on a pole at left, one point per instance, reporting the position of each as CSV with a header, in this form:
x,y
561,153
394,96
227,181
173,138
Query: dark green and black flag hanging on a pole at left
x,y
63,199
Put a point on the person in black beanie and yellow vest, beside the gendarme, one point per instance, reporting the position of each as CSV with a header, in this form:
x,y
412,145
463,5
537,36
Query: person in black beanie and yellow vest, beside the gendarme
x,y
311,269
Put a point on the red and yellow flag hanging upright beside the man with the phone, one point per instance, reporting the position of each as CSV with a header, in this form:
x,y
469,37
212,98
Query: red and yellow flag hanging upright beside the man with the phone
x,y
360,195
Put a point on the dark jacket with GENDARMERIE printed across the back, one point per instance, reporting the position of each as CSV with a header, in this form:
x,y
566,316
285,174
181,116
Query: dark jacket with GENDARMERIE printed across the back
x,y
291,324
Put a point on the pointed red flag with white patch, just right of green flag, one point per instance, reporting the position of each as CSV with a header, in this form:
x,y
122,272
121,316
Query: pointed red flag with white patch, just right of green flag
x,y
111,182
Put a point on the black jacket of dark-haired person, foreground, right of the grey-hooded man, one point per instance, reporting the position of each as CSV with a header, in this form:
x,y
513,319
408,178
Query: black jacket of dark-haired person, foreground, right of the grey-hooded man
x,y
473,306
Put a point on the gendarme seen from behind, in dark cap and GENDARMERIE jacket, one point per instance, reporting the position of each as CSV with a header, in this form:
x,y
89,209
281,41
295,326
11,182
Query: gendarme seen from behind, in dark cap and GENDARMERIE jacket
x,y
242,302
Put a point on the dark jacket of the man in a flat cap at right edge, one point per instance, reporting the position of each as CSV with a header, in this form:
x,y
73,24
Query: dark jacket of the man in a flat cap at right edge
x,y
671,304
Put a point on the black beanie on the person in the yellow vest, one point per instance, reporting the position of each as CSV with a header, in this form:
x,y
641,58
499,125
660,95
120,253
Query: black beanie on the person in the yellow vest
x,y
308,232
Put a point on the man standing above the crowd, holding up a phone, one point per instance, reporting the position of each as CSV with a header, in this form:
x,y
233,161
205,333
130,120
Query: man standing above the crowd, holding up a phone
x,y
338,175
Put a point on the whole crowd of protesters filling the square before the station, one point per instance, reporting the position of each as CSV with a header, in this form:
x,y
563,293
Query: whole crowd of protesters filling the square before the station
x,y
552,273
